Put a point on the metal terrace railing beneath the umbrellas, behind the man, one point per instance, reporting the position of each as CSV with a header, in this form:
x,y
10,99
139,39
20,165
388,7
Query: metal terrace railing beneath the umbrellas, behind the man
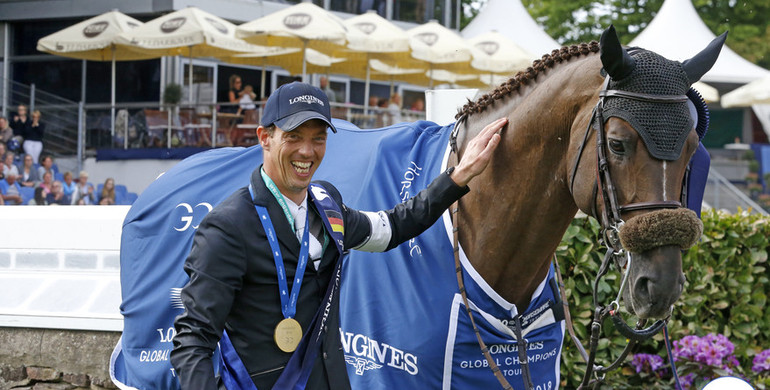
x,y
78,129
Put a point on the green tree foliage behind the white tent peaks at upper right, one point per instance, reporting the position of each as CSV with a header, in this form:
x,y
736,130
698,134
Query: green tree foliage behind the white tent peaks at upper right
x,y
574,21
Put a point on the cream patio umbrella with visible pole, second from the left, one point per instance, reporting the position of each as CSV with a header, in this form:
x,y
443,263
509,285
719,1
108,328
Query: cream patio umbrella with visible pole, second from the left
x,y
189,31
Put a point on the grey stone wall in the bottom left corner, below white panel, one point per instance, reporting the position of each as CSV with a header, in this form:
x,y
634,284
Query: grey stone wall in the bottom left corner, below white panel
x,y
53,359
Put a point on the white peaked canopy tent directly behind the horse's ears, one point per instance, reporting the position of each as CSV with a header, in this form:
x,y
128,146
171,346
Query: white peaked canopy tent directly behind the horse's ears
x,y
678,33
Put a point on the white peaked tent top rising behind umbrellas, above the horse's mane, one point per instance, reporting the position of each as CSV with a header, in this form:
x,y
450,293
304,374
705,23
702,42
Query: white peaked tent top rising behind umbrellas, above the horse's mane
x,y
511,19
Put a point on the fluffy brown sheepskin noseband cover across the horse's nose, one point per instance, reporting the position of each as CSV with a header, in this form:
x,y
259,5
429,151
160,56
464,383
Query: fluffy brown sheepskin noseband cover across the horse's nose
x,y
679,227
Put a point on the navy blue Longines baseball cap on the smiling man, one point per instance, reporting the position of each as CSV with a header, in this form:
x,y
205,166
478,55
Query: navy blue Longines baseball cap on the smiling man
x,y
294,104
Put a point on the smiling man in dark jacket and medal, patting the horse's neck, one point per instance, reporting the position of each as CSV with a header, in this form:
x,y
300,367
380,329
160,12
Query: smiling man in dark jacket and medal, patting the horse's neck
x,y
266,259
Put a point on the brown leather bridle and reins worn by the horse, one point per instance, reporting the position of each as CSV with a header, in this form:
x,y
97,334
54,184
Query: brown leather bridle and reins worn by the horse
x,y
611,220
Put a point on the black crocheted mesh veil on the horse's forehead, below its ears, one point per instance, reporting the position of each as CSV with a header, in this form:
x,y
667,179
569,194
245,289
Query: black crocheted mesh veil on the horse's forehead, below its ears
x,y
663,126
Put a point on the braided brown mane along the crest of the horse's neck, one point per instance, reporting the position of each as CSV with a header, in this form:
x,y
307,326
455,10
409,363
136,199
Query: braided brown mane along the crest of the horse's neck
x,y
524,77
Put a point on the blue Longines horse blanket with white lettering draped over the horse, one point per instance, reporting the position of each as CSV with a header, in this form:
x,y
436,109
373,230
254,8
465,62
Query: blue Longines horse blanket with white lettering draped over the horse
x,y
403,324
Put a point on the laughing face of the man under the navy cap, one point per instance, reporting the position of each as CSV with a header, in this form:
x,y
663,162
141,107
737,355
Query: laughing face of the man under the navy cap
x,y
291,158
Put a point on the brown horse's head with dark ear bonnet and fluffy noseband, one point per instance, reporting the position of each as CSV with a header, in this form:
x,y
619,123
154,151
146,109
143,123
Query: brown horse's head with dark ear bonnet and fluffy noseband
x,y
649,135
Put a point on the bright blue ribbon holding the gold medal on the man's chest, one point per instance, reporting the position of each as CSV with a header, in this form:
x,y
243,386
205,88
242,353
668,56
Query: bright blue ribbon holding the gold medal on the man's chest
x,y
288,300
